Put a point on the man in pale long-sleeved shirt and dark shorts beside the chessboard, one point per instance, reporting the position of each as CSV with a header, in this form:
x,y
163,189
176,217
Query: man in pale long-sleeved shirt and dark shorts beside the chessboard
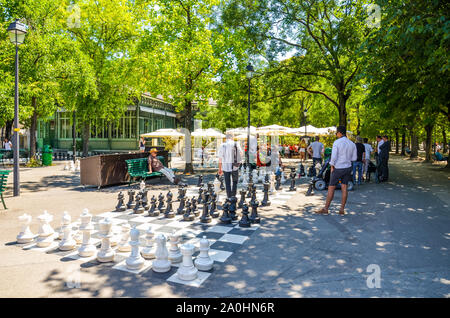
x,y
342,155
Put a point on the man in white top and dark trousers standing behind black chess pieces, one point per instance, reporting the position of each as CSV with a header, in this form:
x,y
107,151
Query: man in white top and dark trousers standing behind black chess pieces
x,y
230,157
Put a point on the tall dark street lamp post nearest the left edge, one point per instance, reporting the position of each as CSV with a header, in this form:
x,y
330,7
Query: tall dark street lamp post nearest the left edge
x,y
17,31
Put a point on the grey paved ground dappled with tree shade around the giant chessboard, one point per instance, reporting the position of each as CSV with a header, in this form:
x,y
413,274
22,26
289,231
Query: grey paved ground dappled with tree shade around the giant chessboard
x,y
402,226
